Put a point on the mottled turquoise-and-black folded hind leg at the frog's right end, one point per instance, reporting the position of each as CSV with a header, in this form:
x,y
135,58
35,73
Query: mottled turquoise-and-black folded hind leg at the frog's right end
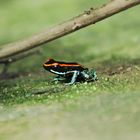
x,y
90,75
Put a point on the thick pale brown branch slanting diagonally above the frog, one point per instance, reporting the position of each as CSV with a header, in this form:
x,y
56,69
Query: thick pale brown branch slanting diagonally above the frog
x,y
87,18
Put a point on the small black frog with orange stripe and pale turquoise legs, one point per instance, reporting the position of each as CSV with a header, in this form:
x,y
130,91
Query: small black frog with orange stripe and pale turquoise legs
x,y
69,72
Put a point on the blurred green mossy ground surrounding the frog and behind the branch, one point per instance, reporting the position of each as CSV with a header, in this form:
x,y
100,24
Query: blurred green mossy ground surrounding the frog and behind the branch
x,y
32,107
